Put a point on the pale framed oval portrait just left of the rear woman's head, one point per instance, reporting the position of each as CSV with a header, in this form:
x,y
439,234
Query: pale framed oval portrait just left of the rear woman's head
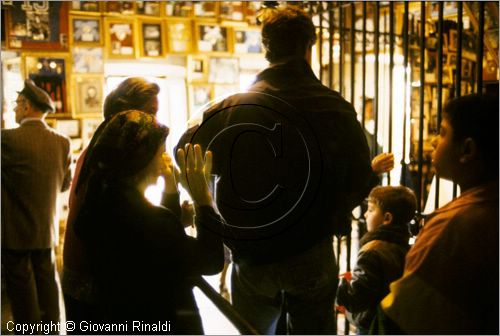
x,y
88,98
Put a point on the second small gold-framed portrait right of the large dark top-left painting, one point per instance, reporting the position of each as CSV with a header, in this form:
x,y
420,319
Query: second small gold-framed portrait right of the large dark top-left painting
x,y
120,38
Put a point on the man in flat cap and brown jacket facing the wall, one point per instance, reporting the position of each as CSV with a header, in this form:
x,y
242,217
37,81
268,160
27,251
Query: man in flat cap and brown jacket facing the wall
x,y
35,168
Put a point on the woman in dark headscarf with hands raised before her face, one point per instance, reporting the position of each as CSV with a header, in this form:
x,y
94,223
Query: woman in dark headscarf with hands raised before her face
x,y
139,253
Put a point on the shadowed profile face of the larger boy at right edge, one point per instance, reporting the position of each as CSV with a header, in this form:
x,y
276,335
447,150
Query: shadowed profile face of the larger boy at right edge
x,y
445,155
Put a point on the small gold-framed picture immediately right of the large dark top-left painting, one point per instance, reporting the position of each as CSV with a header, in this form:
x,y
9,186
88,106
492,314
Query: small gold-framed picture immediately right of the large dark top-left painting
x,y
85,30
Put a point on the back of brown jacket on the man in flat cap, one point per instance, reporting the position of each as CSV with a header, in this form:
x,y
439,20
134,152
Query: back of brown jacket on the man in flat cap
x,y
35,168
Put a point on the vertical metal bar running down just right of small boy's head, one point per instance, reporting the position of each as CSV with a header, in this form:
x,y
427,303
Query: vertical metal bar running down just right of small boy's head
x,y
421,106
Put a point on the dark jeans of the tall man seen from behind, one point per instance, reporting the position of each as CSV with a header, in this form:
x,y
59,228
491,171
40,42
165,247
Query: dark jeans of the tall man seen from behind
x,y
306,282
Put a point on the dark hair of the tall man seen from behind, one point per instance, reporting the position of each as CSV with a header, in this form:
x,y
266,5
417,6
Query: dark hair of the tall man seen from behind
x,y
286,32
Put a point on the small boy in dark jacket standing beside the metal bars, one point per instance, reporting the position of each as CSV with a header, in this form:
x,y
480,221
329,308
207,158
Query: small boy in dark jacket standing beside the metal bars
x,y
382,255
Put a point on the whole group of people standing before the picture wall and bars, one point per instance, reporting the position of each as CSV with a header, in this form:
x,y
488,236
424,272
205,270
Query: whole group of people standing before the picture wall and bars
x,y
273,174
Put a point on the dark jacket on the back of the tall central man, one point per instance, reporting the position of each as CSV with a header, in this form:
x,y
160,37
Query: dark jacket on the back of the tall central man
x,y
291,158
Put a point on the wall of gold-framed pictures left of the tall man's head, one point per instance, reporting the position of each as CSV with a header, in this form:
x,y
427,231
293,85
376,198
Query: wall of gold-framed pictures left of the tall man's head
x,y
65,46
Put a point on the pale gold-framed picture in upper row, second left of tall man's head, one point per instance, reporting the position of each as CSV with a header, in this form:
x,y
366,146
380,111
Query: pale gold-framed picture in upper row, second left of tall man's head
x,y
212,38
